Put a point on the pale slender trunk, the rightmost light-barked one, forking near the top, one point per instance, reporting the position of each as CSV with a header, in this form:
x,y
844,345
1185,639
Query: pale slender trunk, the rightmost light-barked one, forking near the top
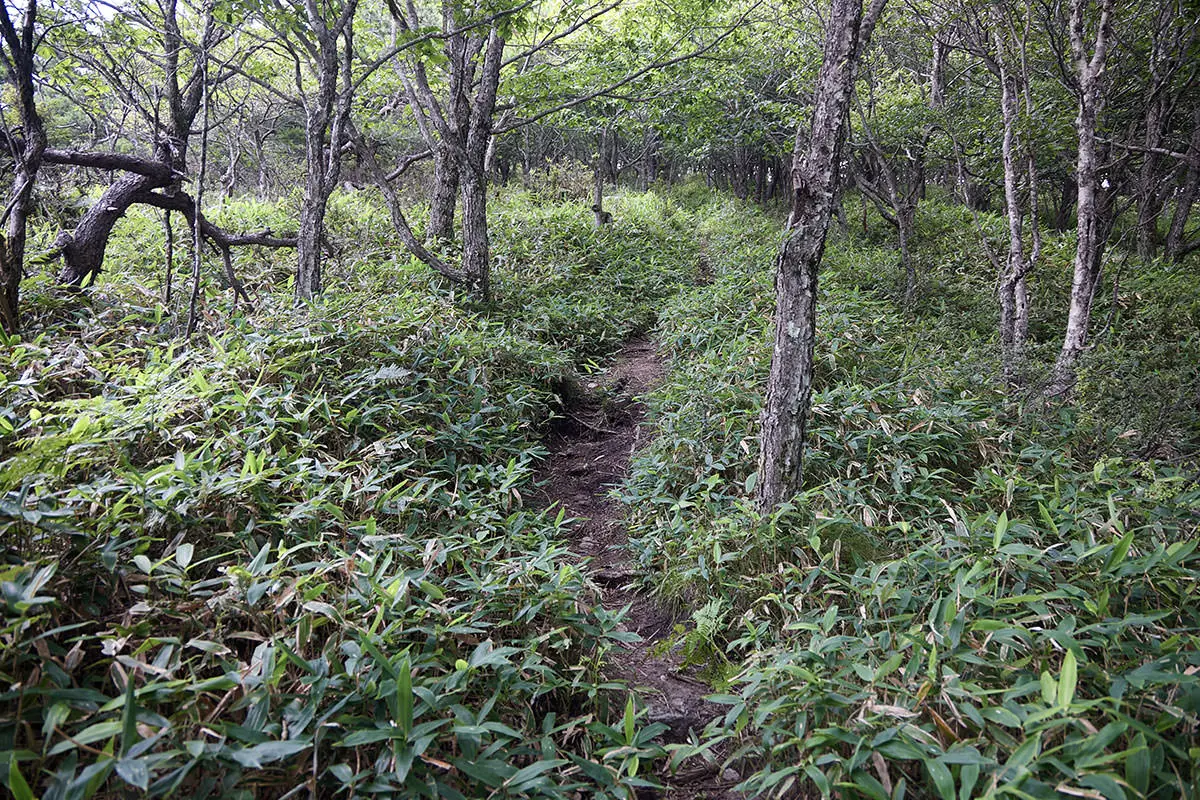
x,y
1090,228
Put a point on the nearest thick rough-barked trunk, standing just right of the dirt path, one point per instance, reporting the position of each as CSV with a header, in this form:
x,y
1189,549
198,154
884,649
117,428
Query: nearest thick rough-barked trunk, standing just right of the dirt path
x,y
814,177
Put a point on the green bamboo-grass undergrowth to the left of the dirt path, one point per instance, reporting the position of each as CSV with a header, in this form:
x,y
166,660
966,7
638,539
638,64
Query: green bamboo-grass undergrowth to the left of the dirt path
x,y
301,555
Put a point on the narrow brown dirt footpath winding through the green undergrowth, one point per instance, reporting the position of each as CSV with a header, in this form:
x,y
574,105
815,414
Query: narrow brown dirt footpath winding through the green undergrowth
x,y
590,454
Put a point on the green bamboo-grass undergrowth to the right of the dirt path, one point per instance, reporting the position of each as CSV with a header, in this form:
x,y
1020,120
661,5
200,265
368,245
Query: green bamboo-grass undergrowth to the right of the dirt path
x,y
961,604
